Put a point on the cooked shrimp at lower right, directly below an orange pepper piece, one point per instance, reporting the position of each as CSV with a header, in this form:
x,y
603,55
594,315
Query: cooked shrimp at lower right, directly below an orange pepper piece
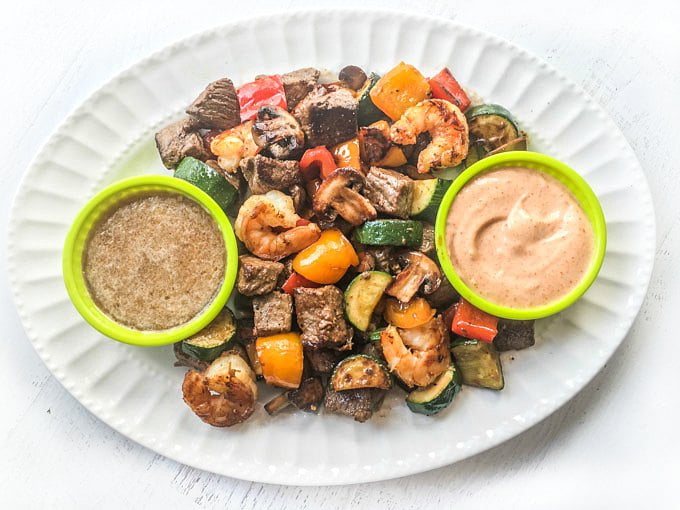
x,y
417,355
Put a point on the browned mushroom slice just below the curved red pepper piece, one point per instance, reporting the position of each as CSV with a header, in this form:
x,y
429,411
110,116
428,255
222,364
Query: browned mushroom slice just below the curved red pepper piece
x,y
339,193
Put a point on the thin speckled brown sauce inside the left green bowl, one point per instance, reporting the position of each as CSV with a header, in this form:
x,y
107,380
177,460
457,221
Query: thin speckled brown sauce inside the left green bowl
x,y
155,262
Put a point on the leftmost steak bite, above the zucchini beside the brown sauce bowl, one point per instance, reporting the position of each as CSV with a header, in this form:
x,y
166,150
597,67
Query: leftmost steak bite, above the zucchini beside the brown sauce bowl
x,y
178,140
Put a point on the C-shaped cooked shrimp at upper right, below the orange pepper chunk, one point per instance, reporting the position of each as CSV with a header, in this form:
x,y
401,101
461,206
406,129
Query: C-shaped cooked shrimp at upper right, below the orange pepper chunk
x,y
447,126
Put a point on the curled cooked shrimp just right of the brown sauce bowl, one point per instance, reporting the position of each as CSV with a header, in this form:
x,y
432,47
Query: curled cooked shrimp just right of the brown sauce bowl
x,y
267,225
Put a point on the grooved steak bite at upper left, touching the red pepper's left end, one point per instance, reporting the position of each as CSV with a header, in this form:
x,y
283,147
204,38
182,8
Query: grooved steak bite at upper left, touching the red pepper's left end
x,y
217,106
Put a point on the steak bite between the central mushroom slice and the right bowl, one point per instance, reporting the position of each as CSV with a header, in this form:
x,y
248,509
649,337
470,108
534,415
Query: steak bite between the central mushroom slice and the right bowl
x,y
389,191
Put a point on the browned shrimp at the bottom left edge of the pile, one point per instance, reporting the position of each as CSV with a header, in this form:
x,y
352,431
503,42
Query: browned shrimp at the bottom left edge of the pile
x,y
224,394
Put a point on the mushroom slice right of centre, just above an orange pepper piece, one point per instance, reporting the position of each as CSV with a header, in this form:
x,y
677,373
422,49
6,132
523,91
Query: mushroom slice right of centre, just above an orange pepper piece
x,y
420,271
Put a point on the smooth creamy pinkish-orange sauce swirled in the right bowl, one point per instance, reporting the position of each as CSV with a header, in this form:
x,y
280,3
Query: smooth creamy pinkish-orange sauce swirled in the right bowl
x,y
518,237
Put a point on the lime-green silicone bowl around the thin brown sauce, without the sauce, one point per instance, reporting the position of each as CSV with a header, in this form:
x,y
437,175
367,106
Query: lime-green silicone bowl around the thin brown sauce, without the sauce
x,y
78,234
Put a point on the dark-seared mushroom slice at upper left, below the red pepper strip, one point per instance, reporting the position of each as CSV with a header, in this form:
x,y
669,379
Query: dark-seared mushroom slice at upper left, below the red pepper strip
x,y
278,132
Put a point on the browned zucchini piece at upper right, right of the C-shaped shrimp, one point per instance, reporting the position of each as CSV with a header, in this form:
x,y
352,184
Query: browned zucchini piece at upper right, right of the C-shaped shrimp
x,y
490,126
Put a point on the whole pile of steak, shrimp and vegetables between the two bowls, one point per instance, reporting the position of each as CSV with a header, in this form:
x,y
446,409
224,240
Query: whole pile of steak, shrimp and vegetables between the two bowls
x,y
334,185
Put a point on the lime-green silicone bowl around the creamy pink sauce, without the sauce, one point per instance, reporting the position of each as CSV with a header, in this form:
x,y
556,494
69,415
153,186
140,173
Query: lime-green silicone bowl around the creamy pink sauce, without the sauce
x,y
578,187
